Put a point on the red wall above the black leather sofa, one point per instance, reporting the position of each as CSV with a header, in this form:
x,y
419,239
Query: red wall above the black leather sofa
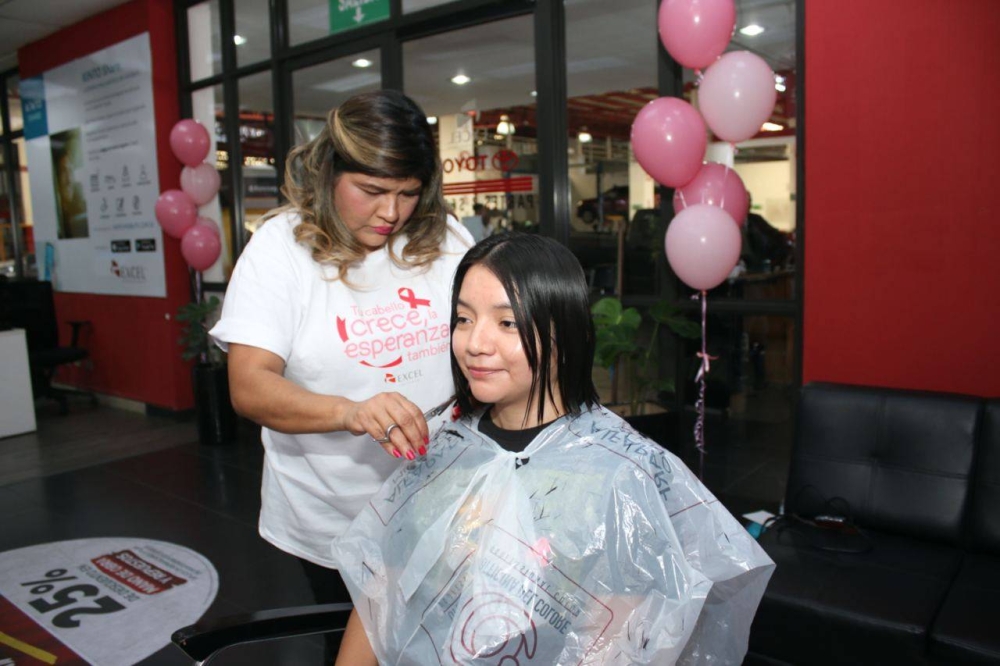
x,y
902,254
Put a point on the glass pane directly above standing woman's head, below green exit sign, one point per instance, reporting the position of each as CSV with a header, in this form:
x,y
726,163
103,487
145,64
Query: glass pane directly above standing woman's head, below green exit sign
x,y
319,89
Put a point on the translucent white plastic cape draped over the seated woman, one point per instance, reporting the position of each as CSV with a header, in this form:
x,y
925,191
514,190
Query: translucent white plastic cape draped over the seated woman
x,y
592,546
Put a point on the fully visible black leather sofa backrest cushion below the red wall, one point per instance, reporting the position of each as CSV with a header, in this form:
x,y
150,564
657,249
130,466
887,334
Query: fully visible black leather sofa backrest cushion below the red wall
x,y
900,461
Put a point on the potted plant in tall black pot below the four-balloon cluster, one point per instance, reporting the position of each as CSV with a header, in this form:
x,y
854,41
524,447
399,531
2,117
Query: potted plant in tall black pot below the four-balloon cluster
x,y
216,418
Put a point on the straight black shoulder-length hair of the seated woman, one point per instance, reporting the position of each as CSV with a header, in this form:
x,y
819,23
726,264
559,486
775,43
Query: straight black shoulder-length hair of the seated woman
x,y
549,296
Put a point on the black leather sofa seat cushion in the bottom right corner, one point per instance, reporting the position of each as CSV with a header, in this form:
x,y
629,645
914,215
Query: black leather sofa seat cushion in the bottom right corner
x,y
967,630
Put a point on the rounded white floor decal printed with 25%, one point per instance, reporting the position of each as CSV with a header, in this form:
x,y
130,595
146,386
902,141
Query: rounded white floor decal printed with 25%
x,y
107,601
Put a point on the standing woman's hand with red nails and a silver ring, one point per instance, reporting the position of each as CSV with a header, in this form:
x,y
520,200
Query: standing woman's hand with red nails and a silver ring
x,y
393,414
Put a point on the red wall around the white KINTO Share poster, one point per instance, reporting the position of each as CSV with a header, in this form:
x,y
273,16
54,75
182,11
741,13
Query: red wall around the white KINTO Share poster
x,y
132,341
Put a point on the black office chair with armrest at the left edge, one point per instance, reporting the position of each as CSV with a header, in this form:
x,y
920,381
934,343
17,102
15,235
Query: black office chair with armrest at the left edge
x,y
29,304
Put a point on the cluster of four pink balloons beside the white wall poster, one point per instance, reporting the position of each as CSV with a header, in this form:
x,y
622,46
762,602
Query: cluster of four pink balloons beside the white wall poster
x,y
177,210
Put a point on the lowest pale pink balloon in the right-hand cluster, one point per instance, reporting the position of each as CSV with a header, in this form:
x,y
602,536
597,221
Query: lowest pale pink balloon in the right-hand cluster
x,y
703,246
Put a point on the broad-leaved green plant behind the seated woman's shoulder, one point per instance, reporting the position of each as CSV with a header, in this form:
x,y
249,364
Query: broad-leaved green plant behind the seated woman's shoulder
x,y
618,347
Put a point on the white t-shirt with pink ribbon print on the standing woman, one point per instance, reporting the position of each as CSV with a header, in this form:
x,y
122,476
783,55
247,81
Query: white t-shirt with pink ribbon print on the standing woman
x,y
388,333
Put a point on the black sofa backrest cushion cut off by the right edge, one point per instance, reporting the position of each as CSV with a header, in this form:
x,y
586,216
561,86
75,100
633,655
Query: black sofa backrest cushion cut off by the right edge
x,y
984,514
